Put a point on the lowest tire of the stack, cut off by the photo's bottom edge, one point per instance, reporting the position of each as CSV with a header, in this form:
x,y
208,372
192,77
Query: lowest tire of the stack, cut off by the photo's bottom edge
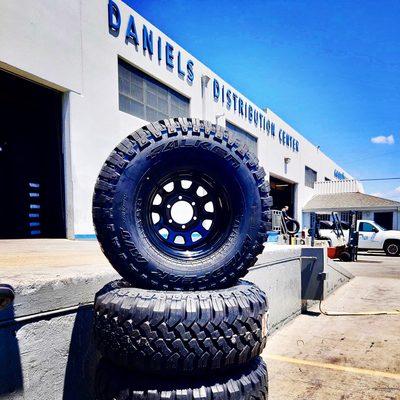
x,y
250,383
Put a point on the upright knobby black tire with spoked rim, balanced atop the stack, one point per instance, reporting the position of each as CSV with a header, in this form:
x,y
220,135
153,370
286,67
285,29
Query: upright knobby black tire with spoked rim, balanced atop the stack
x,y
181,204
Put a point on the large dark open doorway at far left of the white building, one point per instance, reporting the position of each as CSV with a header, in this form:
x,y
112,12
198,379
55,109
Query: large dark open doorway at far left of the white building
x,y
31,162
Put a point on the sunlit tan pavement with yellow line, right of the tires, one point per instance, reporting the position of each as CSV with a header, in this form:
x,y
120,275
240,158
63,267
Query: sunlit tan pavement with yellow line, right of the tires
x,y
343,357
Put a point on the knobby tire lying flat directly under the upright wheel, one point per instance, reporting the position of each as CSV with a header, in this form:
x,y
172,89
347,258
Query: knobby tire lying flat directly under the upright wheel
x,y
180,332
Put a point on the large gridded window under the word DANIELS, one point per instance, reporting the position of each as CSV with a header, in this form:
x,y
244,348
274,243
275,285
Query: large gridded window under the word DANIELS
x,y
144,97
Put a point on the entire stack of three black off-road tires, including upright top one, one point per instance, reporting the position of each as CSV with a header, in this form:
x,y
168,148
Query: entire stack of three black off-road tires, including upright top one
x,y
181,210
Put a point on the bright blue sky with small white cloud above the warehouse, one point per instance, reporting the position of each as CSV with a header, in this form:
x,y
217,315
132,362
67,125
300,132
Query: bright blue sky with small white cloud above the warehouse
x,y
331,69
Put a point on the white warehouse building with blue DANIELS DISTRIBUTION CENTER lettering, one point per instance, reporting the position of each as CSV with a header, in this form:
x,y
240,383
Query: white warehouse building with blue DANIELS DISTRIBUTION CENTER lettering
x,y
78,76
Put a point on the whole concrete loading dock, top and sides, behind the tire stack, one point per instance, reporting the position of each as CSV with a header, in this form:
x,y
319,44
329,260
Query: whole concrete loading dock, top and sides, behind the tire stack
x,y
46,335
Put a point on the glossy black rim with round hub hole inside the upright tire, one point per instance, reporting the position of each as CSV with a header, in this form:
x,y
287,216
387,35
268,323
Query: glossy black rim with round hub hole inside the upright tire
x,y
187,214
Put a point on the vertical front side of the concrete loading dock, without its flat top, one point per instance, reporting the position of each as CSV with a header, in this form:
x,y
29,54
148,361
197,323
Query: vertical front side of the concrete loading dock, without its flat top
x,y
46,342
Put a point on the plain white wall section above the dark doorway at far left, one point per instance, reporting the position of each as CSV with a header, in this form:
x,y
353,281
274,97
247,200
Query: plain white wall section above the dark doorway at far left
x,y
42,40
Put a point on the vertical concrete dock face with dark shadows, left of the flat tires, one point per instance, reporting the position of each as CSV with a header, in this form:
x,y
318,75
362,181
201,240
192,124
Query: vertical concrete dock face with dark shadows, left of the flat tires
x,y
49,359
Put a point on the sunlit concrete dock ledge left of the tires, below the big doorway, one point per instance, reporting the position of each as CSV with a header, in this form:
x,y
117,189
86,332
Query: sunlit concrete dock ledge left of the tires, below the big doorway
x,y
52,274
